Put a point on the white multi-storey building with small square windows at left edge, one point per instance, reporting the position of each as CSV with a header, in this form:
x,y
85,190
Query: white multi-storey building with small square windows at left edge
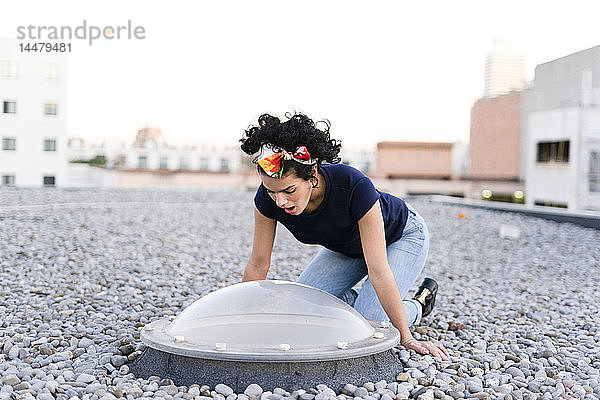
x,y
32,116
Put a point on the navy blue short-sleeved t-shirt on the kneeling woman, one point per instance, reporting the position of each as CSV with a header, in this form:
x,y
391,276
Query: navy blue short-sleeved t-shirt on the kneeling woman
x,y
349,194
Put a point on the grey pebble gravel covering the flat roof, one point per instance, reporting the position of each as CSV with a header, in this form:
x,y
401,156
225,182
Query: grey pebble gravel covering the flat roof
x,y
81,271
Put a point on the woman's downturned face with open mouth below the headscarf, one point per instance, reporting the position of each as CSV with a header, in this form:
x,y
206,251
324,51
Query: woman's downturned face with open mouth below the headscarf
x,y
289,192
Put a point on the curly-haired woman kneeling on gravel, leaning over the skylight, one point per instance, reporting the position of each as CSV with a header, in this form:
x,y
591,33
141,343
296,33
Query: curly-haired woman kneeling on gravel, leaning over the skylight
x,y
362,231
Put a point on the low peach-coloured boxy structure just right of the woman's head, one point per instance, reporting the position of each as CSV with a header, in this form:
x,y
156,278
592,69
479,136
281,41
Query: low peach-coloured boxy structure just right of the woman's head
x,y
414,160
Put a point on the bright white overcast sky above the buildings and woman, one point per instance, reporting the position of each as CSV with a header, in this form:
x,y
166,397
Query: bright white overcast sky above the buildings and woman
x,y
382,70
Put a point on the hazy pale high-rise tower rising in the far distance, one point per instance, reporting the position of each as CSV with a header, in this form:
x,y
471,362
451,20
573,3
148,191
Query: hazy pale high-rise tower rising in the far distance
x,y
504,68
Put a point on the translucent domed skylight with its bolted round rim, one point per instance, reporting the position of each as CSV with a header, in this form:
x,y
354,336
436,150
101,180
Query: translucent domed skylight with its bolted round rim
x,y
270,320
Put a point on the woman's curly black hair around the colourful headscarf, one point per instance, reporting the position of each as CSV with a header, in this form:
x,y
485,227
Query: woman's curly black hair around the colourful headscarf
x,y
298,130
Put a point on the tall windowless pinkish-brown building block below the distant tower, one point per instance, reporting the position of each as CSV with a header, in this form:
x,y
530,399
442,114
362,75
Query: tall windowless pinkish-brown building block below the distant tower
x,y
495,151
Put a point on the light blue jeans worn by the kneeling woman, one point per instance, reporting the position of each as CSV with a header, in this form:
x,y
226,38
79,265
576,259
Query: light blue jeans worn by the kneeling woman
x,y
337,273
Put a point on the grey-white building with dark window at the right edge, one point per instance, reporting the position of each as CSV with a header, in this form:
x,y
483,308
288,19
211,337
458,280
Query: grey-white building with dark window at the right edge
x,y
561,133
